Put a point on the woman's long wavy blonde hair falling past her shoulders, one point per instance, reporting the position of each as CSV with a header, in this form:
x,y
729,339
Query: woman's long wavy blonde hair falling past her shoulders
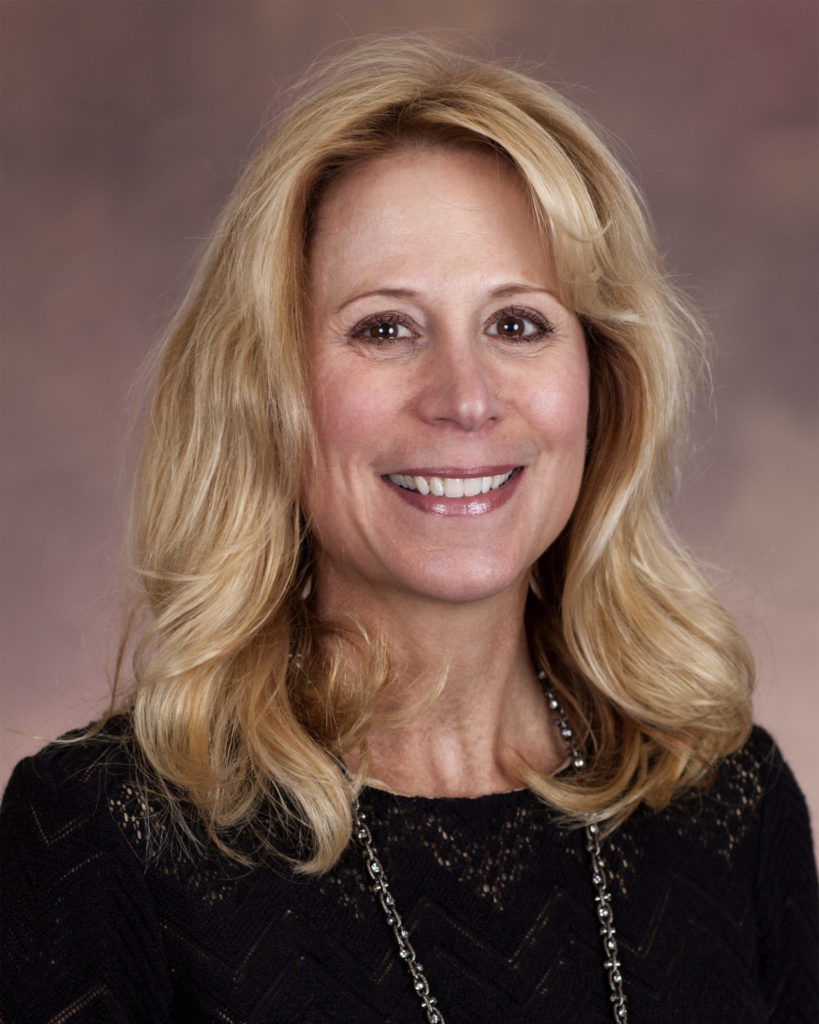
x,y
245,702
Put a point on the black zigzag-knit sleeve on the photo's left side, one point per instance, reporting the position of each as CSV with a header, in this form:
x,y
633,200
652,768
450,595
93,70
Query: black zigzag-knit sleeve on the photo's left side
x,y
81,938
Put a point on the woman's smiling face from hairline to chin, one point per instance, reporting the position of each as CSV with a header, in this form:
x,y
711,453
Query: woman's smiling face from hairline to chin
x,y
450,387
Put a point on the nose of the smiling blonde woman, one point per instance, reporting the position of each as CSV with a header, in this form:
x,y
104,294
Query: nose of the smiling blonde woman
x,y
459,387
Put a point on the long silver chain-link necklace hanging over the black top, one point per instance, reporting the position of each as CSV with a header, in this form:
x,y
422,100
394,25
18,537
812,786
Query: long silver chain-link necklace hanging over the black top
x,y
612,964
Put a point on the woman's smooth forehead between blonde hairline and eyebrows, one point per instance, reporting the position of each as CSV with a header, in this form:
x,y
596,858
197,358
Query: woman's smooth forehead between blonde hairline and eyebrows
x,y
415,209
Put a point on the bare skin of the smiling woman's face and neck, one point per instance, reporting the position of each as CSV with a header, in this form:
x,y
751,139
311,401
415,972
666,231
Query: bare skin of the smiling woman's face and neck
x,y
439,347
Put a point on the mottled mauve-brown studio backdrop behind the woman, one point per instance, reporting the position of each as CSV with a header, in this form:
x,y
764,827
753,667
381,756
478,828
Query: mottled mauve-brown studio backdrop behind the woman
x,y
124,126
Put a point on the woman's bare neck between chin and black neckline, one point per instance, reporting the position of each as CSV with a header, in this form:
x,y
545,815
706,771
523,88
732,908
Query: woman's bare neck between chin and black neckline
x,y
491,715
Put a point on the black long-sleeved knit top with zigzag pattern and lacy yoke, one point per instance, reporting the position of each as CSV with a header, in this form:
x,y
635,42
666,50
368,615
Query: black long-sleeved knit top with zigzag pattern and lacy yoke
x,y
715,903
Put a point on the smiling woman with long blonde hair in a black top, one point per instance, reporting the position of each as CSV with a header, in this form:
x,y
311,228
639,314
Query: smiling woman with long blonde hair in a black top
x,y
421,674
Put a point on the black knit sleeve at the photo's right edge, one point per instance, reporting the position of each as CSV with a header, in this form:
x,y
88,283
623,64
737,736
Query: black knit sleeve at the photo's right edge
x,y
788,905
